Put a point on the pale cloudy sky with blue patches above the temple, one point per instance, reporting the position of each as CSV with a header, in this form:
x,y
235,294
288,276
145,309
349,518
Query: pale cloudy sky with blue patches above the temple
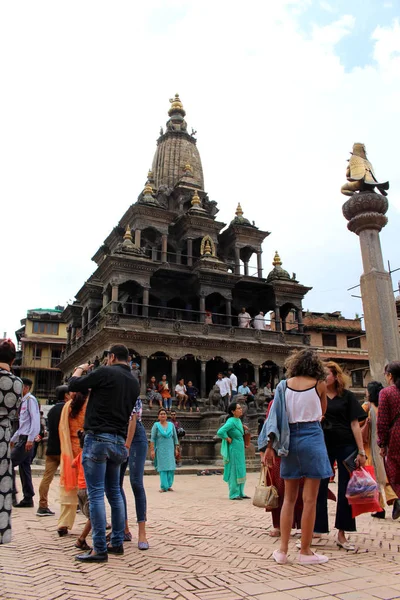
x,y
277,91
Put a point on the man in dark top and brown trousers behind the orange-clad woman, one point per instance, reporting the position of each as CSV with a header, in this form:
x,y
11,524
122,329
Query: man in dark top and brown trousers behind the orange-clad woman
x,y
53,452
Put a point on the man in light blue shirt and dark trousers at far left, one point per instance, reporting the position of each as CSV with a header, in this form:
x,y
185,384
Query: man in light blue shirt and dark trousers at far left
x,y
22,444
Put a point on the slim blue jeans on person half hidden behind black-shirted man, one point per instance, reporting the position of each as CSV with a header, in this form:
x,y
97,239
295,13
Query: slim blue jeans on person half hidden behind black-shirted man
x,y
137,459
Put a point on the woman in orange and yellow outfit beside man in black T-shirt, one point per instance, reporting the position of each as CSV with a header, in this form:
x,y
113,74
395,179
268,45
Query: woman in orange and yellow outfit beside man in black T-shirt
x,y
71,421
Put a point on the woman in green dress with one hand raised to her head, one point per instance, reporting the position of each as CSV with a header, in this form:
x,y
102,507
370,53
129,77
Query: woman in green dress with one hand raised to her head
x,y
232,450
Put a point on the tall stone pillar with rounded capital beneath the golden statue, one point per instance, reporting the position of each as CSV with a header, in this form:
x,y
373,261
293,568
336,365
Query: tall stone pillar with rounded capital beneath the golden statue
x,y
365,212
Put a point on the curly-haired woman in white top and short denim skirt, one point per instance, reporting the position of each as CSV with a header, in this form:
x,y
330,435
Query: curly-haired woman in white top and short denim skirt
x,y
293,430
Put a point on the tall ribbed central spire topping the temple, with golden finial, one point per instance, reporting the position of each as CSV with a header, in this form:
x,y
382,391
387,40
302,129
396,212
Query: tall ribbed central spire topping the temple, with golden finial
x,y
176,149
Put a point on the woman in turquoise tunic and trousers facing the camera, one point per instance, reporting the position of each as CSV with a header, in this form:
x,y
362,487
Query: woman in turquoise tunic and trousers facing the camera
x,y
164,447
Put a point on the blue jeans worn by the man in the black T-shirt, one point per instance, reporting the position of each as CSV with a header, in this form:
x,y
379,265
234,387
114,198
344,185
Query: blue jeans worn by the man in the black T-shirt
x,y
102,456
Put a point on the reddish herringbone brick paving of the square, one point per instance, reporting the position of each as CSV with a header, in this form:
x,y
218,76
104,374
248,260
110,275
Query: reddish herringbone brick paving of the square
x,y
203,547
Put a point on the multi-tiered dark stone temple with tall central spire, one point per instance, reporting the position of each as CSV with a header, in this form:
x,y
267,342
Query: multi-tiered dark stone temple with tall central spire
x,y
167,265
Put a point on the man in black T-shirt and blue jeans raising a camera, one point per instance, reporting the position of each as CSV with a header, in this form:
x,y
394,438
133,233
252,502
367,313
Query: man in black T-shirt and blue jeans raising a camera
x,y
114,391
